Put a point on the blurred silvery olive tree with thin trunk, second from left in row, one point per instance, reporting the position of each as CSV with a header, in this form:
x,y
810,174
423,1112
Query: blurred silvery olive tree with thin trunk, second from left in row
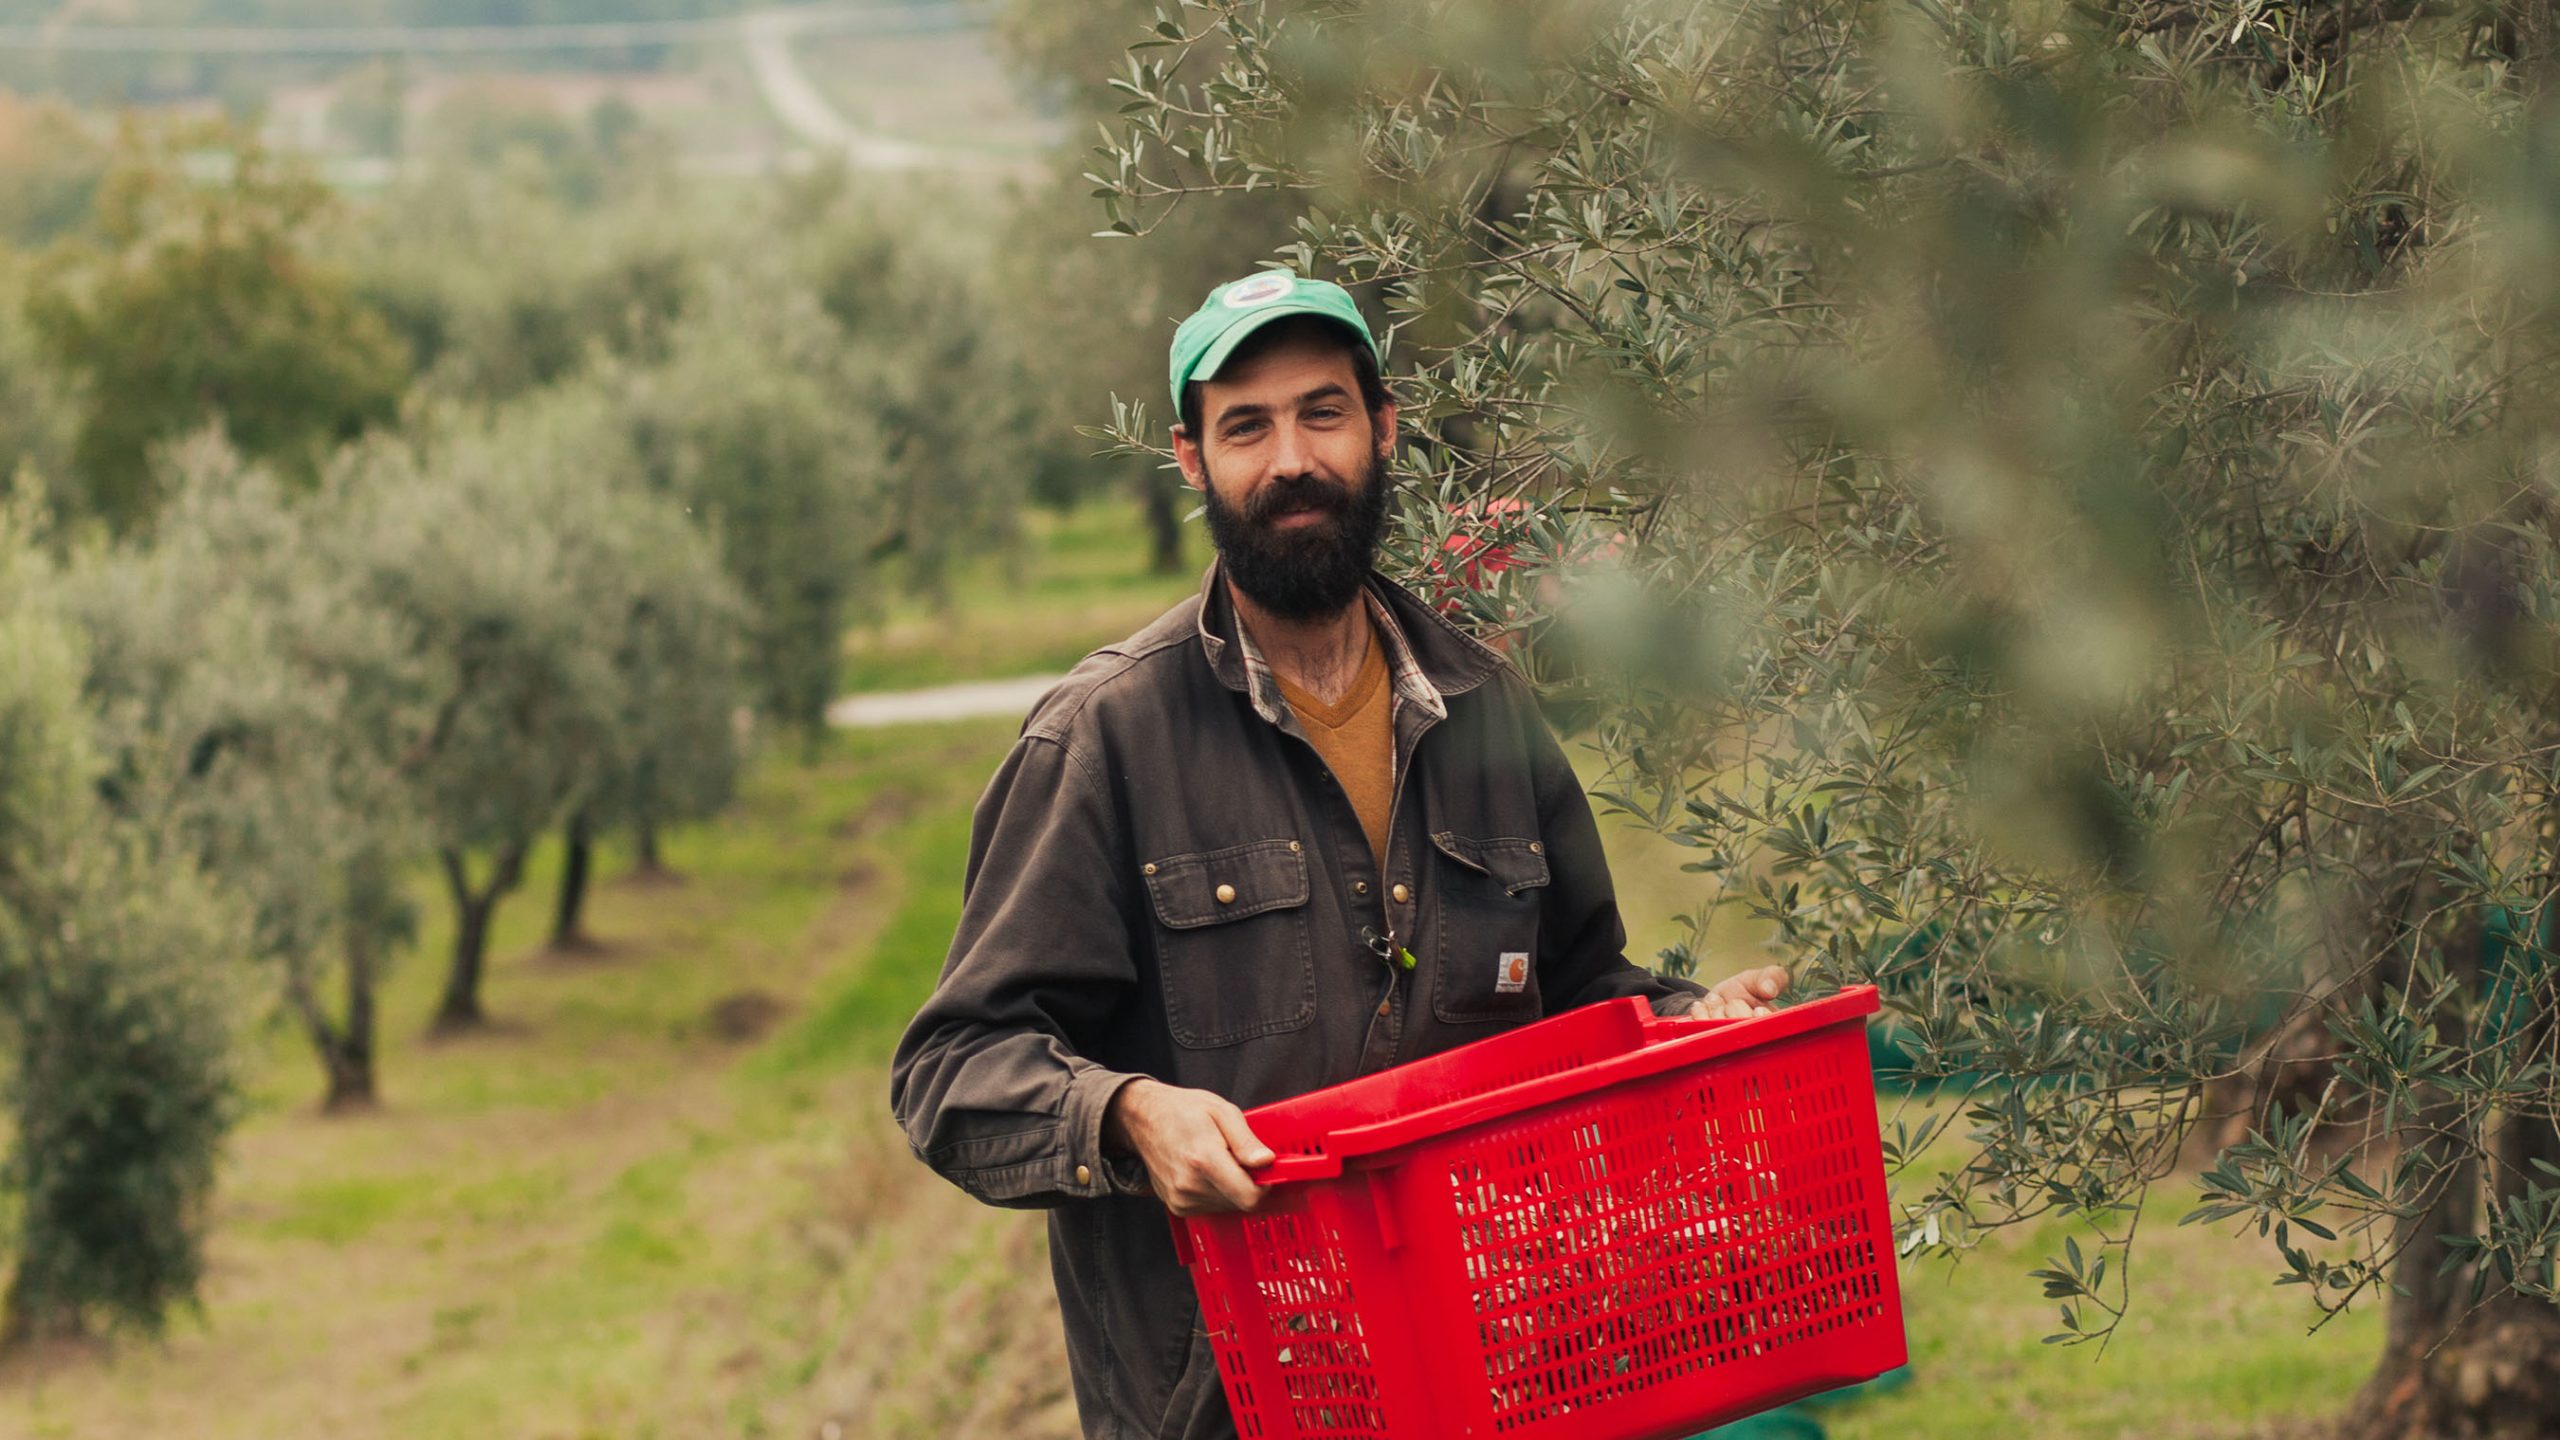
x,y
242,706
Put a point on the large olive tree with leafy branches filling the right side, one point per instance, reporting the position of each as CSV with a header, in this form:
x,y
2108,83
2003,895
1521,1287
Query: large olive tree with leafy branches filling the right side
x,y
2054,511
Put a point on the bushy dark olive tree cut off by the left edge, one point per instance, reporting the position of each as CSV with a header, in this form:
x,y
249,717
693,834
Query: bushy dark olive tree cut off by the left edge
x,y
114,1024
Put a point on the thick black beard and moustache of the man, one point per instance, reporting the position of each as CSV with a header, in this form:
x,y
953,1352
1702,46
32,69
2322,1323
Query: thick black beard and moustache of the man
x,y
1309,573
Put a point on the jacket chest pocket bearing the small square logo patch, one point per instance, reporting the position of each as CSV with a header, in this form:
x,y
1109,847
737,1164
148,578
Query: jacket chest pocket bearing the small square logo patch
x,y
1486,926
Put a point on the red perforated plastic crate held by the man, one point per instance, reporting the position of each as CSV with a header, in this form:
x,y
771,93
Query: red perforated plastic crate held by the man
x,y
1601,1229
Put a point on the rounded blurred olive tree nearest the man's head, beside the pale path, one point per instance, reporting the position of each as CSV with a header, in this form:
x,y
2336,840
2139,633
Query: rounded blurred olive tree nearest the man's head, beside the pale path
x,y
841,393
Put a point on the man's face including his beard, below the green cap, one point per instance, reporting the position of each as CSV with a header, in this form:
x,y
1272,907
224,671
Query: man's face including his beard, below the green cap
x,y
1294,475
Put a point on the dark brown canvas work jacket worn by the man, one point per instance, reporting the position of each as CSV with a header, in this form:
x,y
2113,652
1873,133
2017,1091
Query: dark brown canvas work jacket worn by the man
x,y
1166,883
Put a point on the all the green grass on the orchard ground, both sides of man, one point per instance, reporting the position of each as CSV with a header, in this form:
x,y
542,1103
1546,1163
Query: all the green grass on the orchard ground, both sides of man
x,y
616,1218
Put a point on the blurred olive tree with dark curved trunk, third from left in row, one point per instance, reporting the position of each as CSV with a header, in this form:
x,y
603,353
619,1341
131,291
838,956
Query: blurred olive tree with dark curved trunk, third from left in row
x,y
526,578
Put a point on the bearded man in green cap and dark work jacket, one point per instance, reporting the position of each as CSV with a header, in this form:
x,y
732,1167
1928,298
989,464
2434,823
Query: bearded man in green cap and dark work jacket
x,y
1294,831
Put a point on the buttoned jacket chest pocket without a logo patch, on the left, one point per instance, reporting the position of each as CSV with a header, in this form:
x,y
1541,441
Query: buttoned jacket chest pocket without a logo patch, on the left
x,y
1233,939
